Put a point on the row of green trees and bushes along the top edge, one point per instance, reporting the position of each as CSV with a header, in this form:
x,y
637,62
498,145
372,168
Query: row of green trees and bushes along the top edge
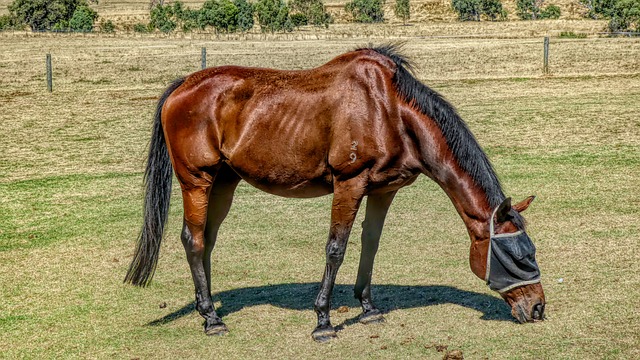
x,y
228,16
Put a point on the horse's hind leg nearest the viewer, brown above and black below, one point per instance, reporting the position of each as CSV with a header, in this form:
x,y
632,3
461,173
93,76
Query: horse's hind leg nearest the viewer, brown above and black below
x,y
196,199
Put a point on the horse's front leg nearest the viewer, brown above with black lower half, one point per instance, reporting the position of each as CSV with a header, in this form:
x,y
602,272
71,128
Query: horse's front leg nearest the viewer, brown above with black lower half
x,y
346,201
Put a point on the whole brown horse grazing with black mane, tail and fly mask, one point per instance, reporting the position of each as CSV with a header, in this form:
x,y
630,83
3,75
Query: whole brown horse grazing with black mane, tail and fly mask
x,y
360,125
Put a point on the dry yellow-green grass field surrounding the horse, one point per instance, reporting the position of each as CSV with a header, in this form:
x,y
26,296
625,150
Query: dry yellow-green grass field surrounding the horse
x,y
71,167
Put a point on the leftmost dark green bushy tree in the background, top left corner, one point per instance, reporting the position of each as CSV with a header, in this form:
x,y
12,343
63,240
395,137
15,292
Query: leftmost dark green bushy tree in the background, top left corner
x,y
45,14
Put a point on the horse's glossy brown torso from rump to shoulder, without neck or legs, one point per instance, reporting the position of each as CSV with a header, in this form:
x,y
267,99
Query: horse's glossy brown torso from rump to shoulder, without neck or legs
x,y
288,132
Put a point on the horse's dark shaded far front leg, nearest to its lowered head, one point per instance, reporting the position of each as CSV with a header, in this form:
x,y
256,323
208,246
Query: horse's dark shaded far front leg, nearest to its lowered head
x,y
377,207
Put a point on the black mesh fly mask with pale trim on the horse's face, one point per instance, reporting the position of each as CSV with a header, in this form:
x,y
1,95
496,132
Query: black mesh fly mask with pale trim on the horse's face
x,y
511,261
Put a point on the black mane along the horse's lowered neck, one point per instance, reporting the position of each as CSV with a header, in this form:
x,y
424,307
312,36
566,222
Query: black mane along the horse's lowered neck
x,y
460,140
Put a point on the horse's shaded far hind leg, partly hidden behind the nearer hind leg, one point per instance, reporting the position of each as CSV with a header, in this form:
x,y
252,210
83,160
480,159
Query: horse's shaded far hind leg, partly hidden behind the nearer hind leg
x,y
220,199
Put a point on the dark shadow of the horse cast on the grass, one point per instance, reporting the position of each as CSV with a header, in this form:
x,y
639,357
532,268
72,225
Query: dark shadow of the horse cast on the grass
x,y
300,296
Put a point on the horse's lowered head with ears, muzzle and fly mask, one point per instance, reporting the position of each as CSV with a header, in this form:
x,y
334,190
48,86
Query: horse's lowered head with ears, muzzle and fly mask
x,y
506,261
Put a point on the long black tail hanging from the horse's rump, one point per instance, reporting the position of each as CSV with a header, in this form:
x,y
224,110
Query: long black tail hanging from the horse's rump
x,y
157,178
